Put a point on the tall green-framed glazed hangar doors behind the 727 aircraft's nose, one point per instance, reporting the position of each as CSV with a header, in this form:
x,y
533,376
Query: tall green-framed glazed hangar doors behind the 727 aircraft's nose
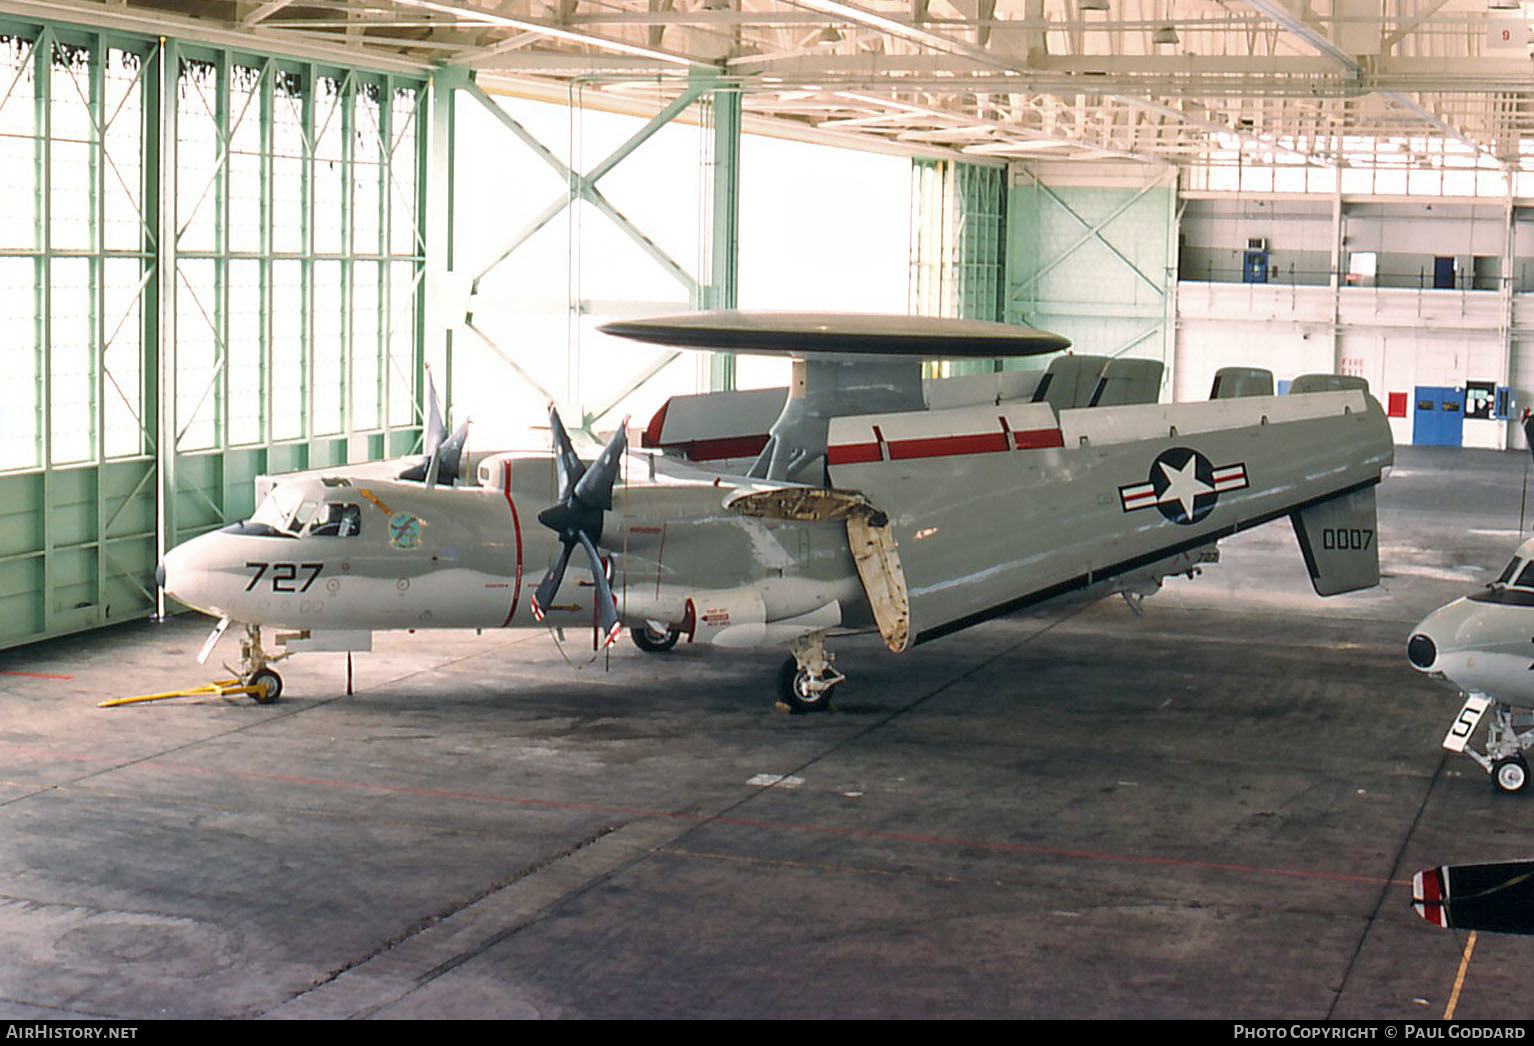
x,y
212,269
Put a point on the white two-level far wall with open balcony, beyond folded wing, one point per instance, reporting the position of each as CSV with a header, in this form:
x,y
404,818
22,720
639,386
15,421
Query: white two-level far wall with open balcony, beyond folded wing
x,y
1406,292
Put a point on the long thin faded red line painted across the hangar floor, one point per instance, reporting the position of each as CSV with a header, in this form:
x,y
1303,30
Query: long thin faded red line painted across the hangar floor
x,y
751,823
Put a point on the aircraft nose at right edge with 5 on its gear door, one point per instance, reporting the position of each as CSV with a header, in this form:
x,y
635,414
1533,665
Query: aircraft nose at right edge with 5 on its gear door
x,y
1484,645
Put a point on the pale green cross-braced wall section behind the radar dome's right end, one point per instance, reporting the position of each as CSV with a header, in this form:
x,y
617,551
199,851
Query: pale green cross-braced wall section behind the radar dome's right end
x,y
1095,258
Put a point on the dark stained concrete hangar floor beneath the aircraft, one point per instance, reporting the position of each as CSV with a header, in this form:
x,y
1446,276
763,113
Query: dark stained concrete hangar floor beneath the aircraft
x,y
1213,811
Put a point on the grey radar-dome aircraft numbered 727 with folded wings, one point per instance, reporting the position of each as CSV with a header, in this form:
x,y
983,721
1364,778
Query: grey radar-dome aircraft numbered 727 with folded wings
x,y
875,502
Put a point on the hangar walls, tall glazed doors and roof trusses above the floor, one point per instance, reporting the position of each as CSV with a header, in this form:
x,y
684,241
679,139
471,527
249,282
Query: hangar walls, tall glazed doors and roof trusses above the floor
x,y
242,232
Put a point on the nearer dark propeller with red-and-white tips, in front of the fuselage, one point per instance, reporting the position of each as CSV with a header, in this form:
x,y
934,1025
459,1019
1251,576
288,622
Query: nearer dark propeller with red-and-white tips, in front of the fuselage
x,y
585,498
